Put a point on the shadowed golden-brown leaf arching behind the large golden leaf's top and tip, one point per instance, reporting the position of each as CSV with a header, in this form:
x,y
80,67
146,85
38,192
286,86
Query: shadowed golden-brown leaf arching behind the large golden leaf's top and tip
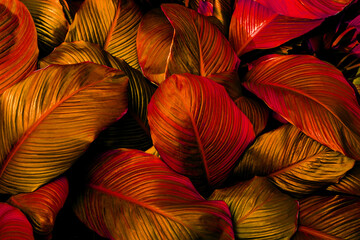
x,y
131,131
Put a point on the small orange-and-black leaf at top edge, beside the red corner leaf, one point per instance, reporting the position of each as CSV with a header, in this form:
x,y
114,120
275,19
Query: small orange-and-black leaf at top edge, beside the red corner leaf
x,y
50,22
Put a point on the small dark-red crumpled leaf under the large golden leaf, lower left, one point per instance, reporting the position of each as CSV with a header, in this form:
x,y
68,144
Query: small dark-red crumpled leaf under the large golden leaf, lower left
x,y
43,205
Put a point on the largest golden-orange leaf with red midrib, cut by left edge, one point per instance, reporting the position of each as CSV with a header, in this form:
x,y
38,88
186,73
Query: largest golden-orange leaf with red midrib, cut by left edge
x,y
49,119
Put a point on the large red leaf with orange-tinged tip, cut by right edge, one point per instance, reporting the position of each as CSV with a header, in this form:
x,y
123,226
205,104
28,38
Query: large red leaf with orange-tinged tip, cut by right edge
x,y
312,95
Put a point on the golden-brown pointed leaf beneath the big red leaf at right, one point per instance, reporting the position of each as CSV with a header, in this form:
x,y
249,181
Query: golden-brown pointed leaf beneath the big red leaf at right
x,y
293,161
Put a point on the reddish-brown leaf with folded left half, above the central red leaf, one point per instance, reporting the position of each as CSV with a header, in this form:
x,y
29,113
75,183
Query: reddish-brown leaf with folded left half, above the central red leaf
x,y
196,47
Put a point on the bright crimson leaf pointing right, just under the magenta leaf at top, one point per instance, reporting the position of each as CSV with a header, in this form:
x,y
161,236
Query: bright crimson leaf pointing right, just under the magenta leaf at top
x,y
254,26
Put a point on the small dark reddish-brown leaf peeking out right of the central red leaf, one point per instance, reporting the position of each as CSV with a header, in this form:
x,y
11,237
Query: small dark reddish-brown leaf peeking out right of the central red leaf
x,y
255,110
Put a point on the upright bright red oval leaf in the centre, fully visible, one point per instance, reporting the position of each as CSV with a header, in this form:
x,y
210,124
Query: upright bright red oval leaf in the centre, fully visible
x,y
197,129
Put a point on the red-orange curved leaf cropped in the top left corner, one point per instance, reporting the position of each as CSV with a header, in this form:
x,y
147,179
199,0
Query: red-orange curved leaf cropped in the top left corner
x,y
18,43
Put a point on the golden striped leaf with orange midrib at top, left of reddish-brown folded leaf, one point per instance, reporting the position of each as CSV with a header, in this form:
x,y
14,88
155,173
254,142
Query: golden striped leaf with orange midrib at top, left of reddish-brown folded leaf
x,y
111,24
